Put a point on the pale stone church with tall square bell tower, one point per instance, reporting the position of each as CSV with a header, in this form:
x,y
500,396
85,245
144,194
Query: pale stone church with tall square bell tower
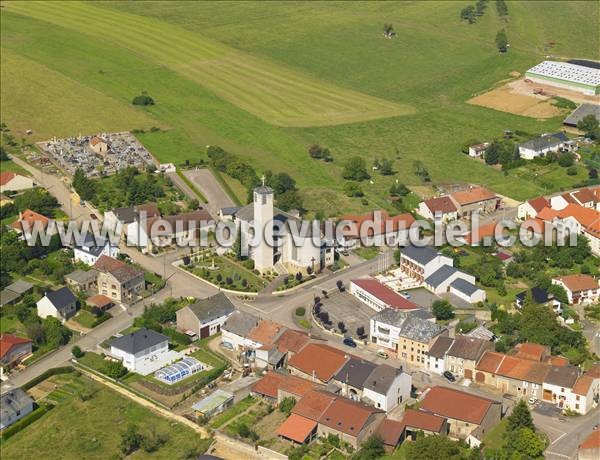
x,y
283,248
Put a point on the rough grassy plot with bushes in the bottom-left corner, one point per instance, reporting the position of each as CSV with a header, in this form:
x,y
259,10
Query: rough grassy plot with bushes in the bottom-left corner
x,y
92,428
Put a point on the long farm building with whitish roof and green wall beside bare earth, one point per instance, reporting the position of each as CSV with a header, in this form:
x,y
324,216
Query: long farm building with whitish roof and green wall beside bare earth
x,y
565,75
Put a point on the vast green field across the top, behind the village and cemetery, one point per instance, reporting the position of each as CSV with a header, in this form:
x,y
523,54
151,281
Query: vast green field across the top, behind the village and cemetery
x,y
267,82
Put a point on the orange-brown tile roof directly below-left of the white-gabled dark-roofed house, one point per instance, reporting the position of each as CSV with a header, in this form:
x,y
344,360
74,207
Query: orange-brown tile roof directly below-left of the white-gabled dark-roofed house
x,y
347,416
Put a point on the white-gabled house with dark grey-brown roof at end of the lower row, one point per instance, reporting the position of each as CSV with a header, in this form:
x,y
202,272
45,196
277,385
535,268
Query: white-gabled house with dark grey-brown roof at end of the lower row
x,y
387,387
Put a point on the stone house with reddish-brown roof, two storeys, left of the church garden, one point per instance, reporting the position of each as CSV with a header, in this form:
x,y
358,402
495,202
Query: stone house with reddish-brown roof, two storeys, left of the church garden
x,y
121,282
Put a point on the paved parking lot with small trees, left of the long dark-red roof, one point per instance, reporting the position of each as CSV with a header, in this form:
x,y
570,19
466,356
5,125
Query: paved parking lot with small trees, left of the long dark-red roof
x,y
343,306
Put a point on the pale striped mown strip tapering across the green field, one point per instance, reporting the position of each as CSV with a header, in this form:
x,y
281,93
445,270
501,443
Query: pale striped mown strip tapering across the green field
x,y
274,93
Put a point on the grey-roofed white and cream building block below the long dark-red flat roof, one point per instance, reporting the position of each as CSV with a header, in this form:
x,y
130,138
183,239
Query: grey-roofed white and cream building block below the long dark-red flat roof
x,y
407,336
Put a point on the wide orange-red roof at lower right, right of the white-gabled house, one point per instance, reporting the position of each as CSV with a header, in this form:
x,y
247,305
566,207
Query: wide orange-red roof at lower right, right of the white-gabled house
x,y
456,405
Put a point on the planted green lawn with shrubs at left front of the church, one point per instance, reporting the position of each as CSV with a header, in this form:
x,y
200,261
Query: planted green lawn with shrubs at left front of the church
x,y
226,269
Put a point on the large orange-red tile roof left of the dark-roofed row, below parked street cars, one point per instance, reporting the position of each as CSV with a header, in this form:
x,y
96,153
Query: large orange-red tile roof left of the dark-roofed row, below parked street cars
x,y
323,360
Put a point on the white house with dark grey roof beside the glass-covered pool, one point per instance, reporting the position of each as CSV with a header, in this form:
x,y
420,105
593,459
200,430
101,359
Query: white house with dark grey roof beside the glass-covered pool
x,y
143,351
